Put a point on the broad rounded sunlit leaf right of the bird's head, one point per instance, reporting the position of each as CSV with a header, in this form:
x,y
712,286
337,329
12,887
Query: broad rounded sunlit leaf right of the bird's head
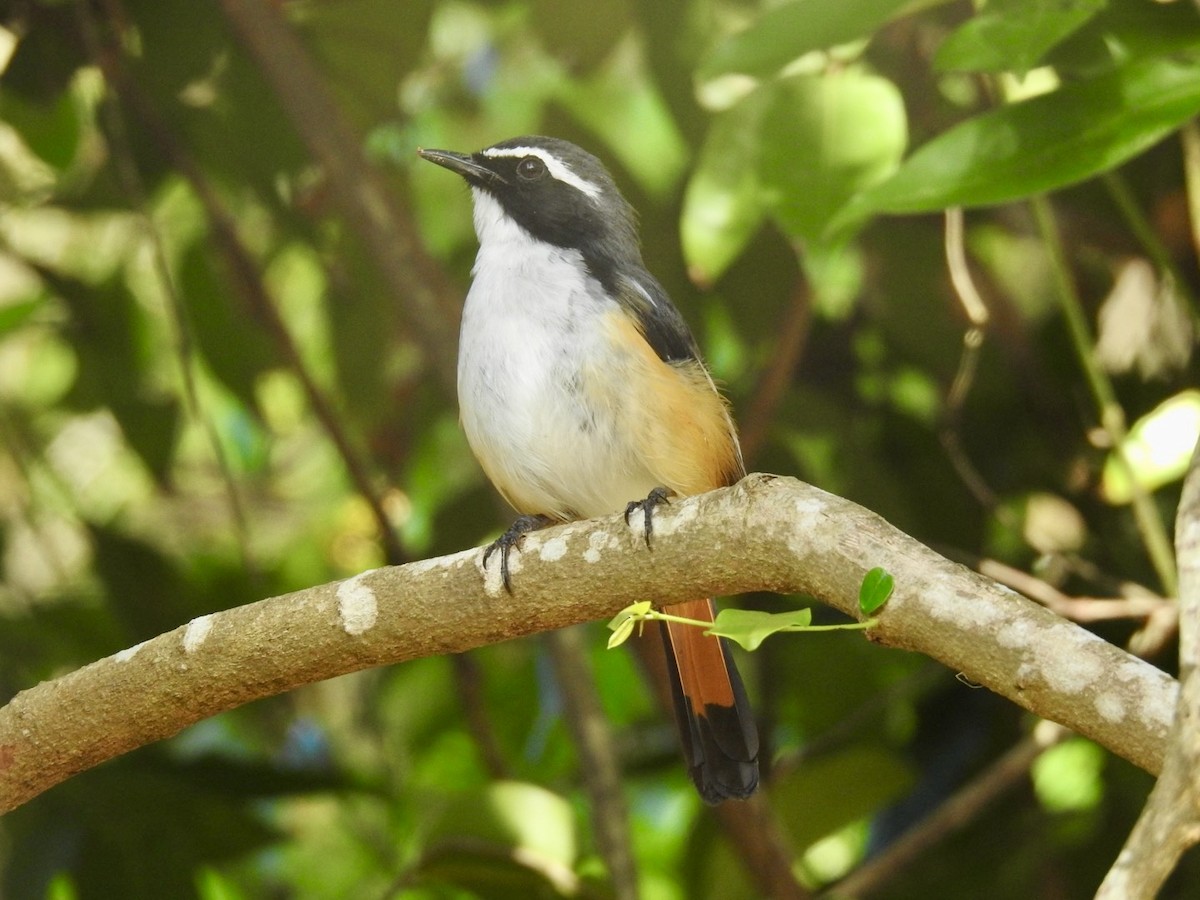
x,y
824,140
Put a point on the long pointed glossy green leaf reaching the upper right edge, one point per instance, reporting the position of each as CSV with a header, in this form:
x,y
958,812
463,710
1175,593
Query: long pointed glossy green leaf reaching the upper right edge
x,y
1041,145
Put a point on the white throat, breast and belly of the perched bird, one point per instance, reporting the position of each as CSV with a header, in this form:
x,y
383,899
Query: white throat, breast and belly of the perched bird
x,y
530,340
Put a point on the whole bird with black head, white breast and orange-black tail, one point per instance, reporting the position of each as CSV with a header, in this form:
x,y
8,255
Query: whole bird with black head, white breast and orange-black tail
x,y
583,394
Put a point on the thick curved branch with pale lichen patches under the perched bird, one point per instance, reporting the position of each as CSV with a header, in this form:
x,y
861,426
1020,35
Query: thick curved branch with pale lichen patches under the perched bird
x,y
766,533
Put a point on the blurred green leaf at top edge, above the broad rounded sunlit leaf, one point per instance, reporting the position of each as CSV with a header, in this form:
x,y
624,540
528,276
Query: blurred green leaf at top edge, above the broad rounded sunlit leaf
x,y
789,32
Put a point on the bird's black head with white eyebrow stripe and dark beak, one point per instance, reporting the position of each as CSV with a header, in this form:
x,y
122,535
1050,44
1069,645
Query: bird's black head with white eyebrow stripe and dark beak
x,y
556,191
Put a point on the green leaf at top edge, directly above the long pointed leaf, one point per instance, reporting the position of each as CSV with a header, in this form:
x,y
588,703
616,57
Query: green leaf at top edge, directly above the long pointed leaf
x,y
1013,35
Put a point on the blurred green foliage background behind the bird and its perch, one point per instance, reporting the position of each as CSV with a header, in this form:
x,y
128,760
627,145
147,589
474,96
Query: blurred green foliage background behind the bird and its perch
x,y
229,296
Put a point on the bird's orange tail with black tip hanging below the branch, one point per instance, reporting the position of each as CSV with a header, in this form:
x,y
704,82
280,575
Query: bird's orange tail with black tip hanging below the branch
x,y
716,725
